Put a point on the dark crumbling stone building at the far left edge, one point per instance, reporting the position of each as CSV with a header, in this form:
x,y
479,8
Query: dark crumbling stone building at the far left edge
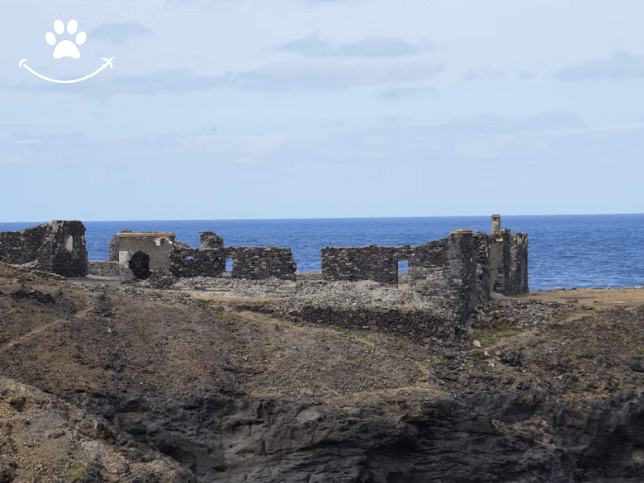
x,y
56,247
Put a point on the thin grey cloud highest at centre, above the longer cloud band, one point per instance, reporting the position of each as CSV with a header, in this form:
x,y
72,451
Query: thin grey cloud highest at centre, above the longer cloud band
x,y
313,46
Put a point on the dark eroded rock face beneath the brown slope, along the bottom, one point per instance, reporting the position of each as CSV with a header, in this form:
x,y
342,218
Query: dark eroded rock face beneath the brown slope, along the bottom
x,y
485,438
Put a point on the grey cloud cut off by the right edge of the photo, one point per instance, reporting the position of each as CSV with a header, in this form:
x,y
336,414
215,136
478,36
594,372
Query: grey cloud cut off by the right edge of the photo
x,y
621,65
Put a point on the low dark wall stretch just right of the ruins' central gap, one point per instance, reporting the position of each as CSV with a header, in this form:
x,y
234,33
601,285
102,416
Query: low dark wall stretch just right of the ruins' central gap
x,y
371,262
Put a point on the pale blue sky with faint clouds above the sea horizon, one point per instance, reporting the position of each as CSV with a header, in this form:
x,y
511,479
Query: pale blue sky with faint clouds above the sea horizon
x,y
253,109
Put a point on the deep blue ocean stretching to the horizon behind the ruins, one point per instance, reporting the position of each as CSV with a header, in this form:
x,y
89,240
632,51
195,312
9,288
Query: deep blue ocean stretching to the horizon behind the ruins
x,y
566,251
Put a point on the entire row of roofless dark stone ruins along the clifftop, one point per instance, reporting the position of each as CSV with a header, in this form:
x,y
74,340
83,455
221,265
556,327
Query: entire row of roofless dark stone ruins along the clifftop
x,y
464,268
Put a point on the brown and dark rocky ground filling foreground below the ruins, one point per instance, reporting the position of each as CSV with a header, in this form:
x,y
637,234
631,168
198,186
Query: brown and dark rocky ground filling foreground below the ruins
x,y
310,381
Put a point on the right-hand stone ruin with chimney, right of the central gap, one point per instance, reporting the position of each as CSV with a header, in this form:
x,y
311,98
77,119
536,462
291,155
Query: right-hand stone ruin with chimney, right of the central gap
x,y
464,268
